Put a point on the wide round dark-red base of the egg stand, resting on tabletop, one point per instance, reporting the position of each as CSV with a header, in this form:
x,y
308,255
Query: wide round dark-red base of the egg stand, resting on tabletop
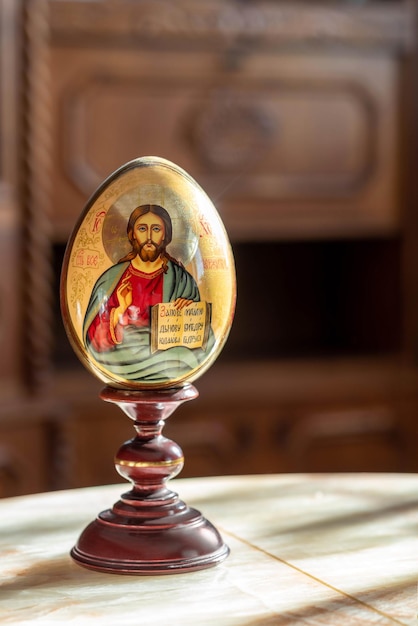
x,y
181,541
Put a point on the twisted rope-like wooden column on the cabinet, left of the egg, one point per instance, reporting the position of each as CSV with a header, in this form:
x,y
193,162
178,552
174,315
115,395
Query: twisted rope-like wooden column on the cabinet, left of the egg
x,y
37,296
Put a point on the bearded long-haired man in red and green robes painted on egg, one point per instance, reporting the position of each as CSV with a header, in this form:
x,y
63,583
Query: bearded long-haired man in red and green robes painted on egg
x,y
117,324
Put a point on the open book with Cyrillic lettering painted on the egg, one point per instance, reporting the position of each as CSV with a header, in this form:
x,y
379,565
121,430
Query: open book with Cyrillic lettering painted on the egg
x,y
188,327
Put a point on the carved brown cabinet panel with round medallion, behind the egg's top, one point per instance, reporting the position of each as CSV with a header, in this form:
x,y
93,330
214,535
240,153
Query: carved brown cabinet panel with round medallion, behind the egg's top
x,y
306,142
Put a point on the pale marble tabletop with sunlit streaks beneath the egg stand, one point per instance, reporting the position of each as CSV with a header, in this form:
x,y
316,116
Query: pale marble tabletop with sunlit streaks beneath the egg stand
x,y
305,549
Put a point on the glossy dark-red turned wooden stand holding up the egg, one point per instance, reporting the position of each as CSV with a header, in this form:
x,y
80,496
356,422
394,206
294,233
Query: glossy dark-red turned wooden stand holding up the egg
x,y
149,530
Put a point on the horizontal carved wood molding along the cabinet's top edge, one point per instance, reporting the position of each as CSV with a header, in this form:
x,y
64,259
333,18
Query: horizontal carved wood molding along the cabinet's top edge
x,y
231,22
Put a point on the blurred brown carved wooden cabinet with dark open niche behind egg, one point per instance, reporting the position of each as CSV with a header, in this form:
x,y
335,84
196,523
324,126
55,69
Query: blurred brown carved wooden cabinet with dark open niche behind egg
x,y
299,122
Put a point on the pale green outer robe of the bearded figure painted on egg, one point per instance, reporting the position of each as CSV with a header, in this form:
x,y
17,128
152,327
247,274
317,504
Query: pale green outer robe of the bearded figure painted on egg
x,y
132,359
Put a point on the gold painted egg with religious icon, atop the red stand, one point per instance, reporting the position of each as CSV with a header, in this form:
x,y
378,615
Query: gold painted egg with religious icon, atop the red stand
x,y
148,280
